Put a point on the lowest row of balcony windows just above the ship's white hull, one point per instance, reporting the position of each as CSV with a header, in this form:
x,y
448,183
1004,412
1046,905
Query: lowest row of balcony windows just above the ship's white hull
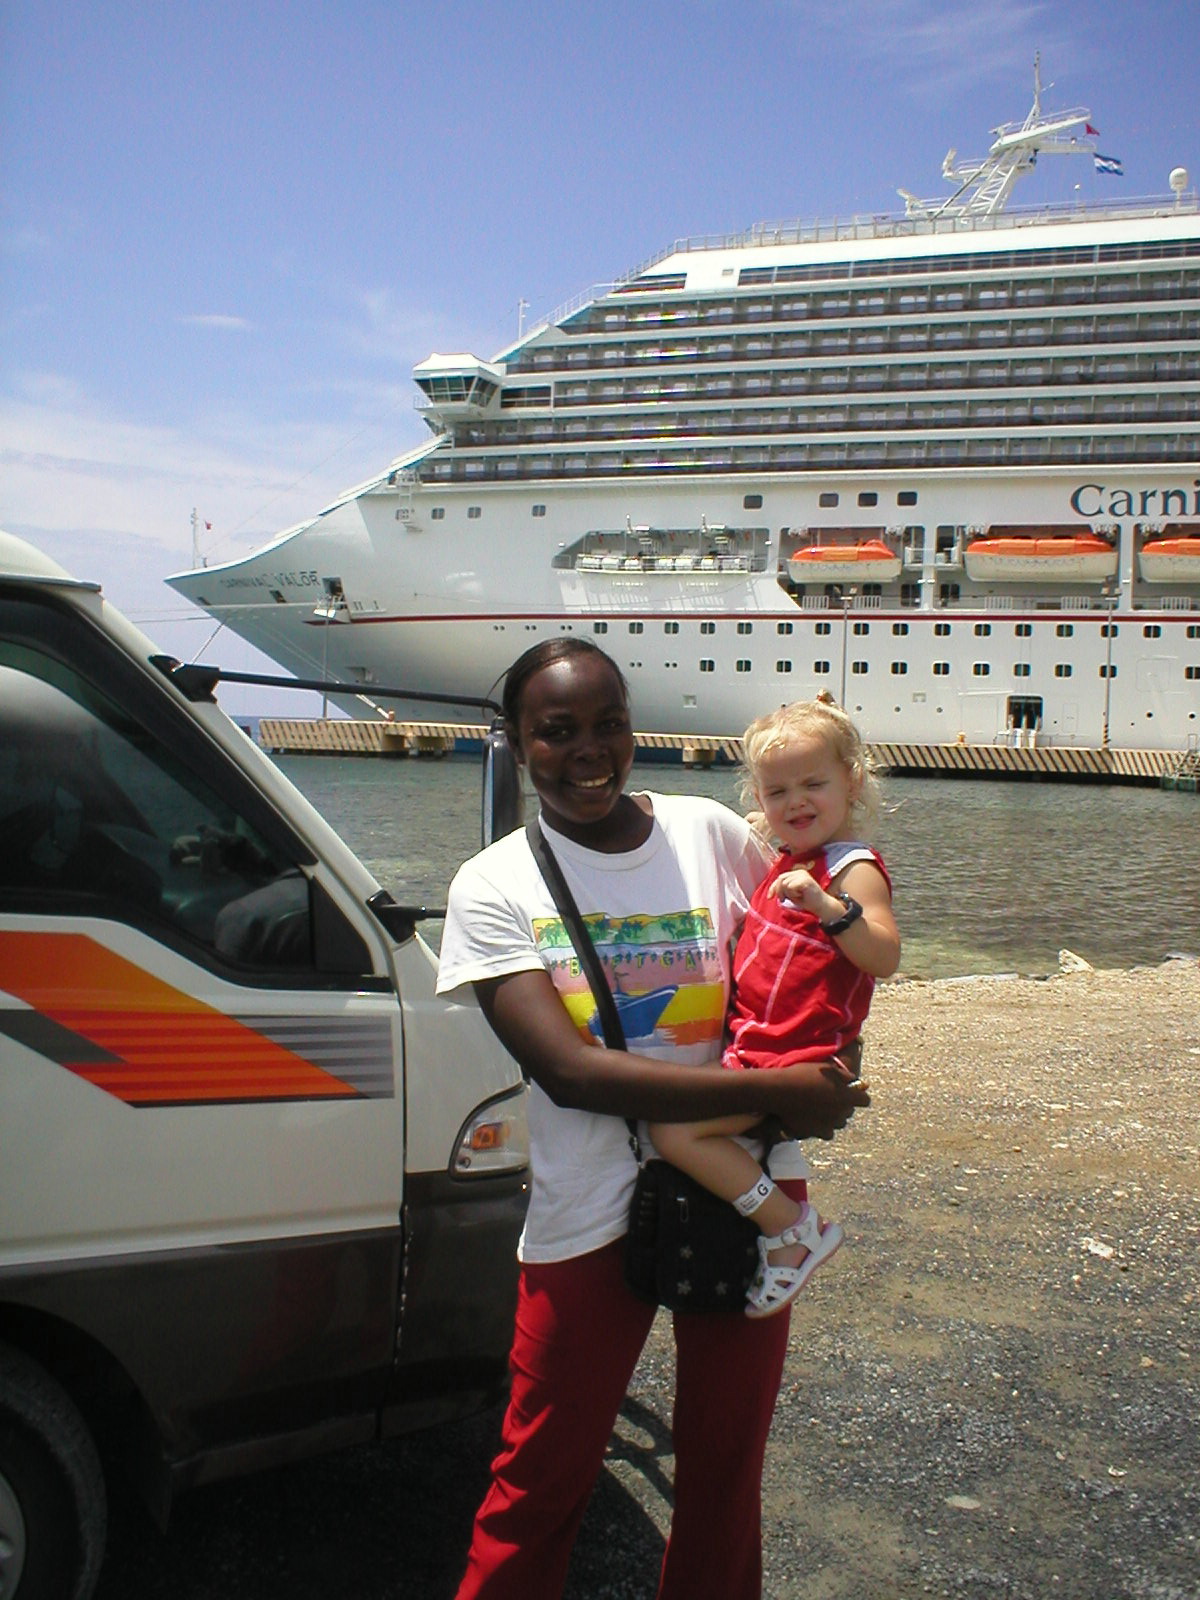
x,y
868,455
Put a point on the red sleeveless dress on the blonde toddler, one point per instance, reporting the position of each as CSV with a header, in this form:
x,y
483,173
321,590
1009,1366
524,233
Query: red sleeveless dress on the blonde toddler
x,y
796,996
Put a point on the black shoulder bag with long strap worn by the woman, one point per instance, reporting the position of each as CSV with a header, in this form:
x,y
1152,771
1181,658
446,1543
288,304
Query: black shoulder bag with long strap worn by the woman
x,y
686,1249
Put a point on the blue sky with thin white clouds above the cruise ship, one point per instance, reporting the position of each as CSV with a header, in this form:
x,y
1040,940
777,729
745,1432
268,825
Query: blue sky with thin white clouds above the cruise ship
x,y
228,231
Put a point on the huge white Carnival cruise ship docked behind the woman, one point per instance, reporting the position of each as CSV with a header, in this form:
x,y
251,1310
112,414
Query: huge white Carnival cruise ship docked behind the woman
x,y
943,465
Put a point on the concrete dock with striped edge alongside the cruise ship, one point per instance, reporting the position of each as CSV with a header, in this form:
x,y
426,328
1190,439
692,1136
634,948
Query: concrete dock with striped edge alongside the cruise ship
x,y
1049,762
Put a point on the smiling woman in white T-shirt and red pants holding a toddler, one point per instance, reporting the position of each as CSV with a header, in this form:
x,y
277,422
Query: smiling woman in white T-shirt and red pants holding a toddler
x,y
662,882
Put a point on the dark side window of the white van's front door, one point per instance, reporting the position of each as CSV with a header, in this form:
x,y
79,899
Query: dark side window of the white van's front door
x,y
98,817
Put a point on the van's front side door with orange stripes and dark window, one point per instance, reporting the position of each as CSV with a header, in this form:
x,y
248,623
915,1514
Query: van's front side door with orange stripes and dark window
x,y
201,1063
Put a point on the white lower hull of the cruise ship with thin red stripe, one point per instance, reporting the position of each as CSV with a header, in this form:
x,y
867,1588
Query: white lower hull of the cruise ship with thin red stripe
x,y
449,606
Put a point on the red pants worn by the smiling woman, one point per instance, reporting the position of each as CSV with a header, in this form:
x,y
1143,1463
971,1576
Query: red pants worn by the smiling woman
x,y
577,1342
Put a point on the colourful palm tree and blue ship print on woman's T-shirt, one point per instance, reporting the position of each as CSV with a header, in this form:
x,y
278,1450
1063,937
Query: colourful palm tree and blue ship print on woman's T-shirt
x,y
665,974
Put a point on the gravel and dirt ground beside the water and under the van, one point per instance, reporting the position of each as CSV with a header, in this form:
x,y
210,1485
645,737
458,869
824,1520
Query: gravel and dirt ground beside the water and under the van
x,y
993,1391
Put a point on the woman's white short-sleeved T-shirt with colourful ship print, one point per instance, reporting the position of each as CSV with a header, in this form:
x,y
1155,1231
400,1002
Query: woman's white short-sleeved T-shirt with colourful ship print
x,y
663,919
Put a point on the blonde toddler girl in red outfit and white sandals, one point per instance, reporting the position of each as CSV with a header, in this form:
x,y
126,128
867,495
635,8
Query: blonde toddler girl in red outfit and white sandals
x,y
818,935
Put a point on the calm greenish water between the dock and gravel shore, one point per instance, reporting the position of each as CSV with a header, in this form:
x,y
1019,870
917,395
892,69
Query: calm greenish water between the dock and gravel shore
x,y
990,878
